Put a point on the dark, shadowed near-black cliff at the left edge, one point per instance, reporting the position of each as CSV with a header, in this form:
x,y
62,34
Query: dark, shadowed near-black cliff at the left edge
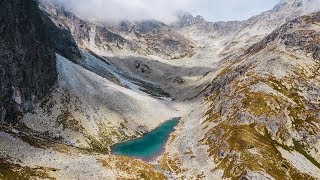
x,y
28,42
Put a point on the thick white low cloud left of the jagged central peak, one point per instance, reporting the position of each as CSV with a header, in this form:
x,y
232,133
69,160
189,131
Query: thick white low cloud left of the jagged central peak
x,y
117,10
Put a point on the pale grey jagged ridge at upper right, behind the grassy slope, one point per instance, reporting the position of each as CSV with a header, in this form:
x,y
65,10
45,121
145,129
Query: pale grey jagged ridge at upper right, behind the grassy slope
x,y
227,38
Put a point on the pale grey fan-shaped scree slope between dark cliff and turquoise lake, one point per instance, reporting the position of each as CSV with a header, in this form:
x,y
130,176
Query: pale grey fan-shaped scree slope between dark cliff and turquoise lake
x,y
89,111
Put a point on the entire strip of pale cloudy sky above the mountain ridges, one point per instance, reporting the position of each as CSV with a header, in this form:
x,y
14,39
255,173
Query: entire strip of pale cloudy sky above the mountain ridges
x,y
164,10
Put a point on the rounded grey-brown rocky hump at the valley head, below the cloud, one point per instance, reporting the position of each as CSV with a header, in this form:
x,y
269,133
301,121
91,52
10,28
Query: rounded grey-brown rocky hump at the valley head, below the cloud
x,y
155,38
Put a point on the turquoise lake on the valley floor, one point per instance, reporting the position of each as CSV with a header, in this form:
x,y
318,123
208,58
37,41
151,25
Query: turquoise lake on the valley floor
x,y
149,145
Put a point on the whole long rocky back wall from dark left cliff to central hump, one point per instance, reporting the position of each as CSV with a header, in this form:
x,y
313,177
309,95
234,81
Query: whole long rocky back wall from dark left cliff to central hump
x,y
142,38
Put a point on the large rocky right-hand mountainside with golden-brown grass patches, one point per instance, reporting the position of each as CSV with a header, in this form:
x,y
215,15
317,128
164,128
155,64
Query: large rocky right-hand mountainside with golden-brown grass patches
x,y
263,112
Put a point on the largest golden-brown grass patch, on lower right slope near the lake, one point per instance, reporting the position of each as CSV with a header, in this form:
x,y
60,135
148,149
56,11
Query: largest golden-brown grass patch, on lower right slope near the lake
x,y
231,152
